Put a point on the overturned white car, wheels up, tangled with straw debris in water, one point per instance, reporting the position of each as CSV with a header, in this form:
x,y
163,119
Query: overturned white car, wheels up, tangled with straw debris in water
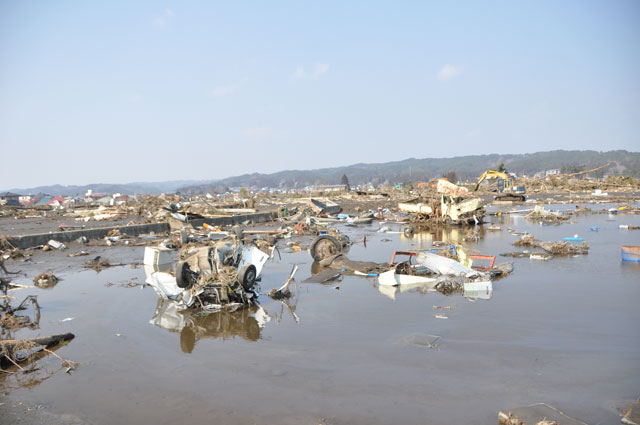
x,y
220,276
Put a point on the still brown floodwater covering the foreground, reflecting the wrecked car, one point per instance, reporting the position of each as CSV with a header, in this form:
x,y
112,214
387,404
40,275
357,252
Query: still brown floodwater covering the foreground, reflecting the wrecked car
x,y
563,331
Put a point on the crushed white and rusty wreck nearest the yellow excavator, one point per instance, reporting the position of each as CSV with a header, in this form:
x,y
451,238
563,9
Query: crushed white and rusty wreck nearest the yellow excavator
x,y
452,206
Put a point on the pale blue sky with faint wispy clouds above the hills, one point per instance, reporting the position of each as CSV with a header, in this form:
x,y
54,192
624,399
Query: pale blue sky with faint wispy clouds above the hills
x,y
122,91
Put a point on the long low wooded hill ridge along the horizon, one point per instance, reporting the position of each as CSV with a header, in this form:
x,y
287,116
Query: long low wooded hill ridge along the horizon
x,y
412,169
